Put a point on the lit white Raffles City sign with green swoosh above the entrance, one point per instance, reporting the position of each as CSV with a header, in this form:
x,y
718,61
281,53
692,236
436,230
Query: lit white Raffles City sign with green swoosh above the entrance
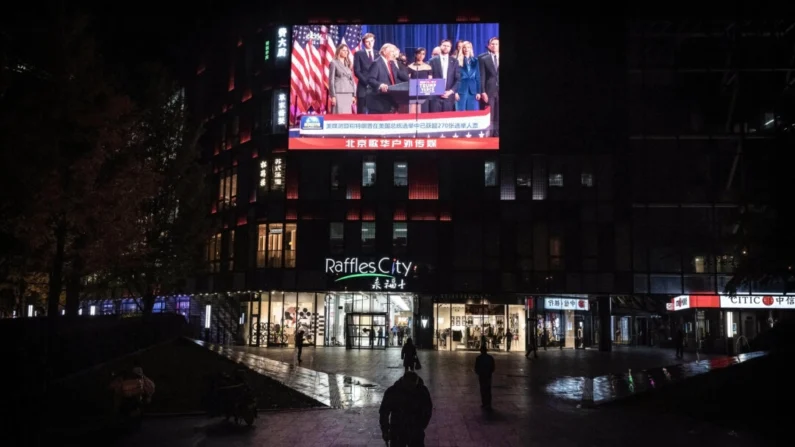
x,y
385,273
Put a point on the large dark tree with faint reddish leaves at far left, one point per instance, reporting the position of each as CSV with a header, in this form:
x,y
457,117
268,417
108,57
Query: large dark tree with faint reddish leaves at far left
x,y
70,160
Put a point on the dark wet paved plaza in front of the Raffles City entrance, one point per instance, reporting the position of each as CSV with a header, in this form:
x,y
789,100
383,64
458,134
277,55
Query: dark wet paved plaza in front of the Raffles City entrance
x,y
351,383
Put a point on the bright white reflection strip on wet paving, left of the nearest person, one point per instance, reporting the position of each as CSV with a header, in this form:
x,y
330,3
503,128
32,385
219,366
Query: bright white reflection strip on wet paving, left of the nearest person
x,y
332,390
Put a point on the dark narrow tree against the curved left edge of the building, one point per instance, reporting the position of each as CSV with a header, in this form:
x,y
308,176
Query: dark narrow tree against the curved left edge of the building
x,y
173,222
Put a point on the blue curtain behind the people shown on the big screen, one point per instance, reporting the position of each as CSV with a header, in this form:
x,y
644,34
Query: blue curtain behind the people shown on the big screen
x,y
428,36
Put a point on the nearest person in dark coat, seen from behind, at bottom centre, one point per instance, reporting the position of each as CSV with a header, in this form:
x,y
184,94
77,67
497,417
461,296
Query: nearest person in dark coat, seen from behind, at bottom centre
x,y
406,412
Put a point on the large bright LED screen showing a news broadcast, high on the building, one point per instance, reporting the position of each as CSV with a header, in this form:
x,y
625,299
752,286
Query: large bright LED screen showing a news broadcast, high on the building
x,y
395,87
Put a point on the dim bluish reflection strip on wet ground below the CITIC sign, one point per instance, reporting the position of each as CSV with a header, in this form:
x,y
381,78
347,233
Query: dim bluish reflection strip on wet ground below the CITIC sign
x,y
617,386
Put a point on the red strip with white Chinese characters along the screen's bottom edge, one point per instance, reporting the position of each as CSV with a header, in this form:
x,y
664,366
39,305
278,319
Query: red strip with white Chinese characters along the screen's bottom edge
x,y
395,144
